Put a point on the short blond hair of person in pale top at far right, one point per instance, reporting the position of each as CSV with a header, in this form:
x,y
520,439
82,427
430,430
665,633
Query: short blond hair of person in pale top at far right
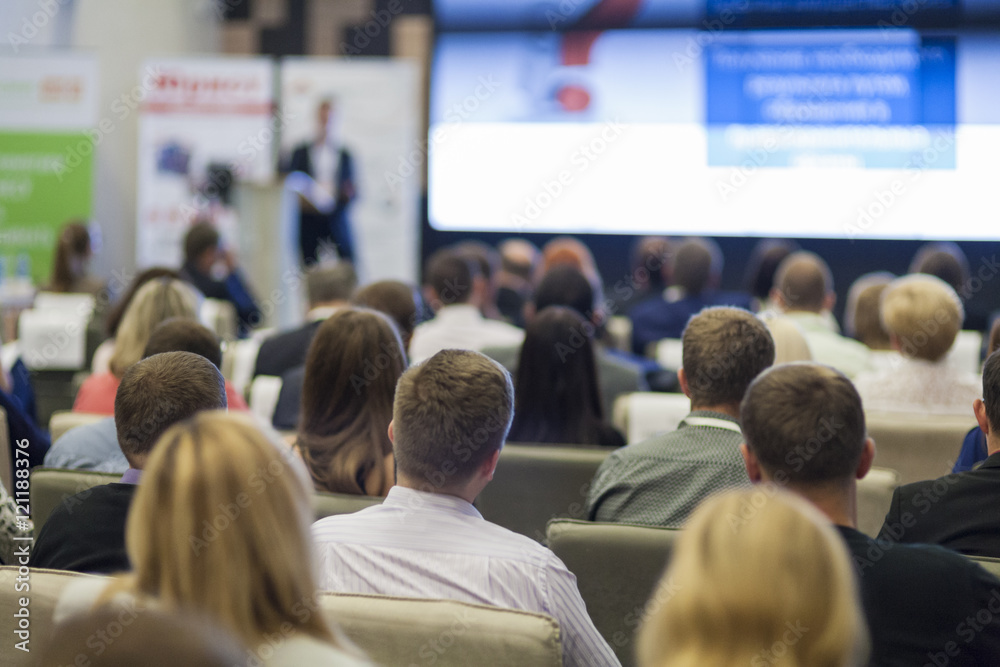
x,y
924,313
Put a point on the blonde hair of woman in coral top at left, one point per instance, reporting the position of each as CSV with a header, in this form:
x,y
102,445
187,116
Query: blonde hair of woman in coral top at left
x,y
156,301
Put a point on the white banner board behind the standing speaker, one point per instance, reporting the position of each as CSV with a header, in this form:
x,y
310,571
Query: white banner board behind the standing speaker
x,y
377,112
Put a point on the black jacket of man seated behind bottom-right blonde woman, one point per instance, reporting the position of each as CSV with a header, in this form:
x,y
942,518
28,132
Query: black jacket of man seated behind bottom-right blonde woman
x,y
922,601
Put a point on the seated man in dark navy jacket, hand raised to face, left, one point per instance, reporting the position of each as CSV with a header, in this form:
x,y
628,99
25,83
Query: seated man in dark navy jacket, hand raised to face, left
x,y
202,254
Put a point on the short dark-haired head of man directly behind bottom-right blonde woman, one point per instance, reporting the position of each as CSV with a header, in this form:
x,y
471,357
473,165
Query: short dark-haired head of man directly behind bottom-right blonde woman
x,y
804,427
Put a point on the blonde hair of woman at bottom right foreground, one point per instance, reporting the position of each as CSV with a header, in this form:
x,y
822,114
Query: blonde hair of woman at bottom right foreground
x,y
759,578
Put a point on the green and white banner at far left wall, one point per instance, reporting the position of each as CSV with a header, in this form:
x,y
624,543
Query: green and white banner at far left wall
x,y
48,113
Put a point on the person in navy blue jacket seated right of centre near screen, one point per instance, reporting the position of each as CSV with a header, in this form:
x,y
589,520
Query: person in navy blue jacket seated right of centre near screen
x,y
694,273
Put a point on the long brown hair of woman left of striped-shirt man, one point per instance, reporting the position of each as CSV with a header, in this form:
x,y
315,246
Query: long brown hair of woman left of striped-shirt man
x,y
352,367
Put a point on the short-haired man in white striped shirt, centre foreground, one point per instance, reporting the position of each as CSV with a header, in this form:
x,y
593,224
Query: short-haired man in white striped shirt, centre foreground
x,y
450,419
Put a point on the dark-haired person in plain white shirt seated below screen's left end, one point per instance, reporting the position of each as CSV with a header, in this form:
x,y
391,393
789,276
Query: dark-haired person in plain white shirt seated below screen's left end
x,y
456,290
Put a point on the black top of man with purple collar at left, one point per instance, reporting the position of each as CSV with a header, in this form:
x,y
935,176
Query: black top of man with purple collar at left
x,y
86,532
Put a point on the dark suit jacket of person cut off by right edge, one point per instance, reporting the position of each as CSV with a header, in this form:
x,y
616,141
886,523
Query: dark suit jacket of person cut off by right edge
x,y
960,511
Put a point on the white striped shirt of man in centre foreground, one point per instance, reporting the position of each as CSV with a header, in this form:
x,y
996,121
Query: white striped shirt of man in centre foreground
x,y
432,545
